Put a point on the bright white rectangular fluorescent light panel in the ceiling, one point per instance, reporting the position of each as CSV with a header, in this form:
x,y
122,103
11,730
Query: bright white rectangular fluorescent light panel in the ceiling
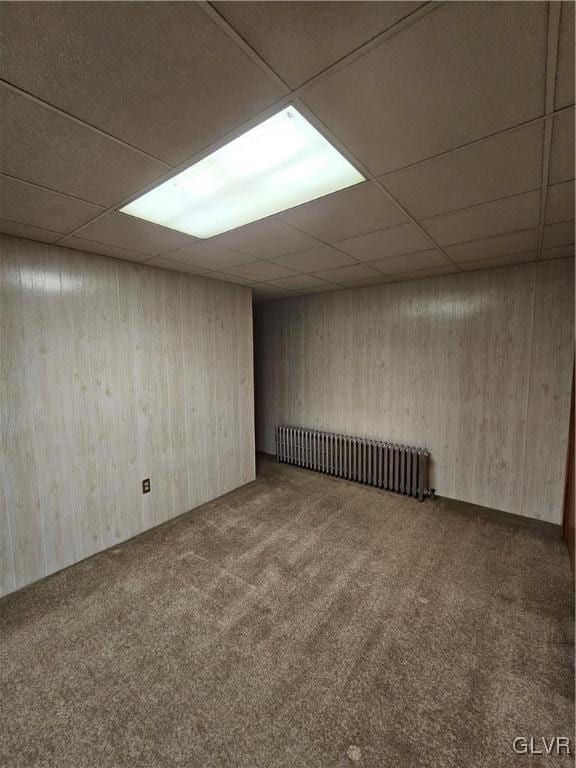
x,y
280,163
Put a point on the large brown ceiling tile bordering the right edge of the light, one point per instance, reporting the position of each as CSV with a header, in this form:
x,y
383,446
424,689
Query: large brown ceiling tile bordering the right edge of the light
x,y
462,72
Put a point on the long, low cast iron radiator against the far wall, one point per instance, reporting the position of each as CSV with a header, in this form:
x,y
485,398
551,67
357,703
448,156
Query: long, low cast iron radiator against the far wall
x,y
399,468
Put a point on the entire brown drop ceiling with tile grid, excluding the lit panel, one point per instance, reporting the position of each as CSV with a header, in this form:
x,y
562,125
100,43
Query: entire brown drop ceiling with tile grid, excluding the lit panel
x,y
460,116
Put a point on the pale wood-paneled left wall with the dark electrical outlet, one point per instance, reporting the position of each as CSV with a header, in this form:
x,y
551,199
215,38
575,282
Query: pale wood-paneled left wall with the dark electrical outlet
x,y
113,372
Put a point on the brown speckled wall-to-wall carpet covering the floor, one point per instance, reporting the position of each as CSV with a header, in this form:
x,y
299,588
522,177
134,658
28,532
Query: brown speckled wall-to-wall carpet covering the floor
x,y
298,621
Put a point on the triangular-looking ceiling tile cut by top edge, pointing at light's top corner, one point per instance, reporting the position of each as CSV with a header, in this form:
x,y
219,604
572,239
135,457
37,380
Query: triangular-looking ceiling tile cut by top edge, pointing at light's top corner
x,y
299,40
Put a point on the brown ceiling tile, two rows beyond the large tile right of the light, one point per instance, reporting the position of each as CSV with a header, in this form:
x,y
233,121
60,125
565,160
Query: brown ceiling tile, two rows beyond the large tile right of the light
x,y
510,214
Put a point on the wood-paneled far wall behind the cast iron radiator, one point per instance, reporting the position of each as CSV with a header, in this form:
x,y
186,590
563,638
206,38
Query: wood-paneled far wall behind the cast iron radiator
x,y
474,366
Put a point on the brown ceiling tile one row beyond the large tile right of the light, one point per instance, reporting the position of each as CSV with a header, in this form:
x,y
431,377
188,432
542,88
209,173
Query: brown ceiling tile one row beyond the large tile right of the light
x,y
497,167
